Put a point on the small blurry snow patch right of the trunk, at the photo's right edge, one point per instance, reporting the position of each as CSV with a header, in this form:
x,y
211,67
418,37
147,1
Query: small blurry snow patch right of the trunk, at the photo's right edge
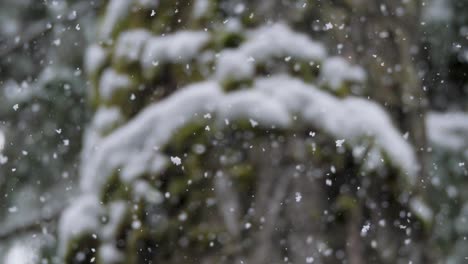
x,y
448,130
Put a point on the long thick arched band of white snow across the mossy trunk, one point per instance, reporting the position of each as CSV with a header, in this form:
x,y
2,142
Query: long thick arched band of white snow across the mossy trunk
x,y
134,148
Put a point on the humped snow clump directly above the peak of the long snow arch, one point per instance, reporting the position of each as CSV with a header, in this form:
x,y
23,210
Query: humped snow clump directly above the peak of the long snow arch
x,y
262,44
